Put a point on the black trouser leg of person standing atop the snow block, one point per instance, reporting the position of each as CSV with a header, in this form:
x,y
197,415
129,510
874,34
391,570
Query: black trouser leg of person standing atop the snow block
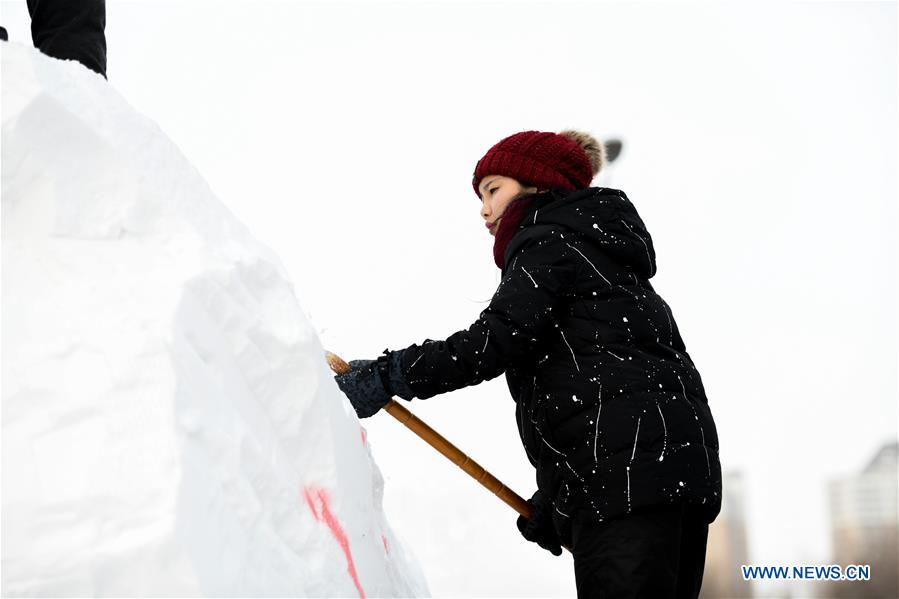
x,y
71,30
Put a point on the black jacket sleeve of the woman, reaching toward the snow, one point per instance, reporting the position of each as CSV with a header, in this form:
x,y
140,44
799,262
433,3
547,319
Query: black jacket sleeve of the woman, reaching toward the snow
x,y
537,277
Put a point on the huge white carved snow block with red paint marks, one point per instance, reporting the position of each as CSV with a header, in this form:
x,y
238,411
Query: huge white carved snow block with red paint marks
x,y
169,423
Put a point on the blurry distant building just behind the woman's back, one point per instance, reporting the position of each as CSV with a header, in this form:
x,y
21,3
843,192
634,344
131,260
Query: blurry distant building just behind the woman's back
x,y
727,547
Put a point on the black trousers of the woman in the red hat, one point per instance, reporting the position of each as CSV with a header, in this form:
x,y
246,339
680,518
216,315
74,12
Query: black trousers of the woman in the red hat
x,y
656,552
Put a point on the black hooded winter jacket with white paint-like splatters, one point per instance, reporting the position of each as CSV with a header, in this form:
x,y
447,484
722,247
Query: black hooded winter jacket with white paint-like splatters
x,y
610,407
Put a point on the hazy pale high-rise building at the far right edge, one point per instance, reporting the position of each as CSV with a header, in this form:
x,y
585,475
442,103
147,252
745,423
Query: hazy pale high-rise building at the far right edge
x,y
864,517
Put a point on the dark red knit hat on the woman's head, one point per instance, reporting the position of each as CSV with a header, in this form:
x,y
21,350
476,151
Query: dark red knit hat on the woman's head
x,y
544,160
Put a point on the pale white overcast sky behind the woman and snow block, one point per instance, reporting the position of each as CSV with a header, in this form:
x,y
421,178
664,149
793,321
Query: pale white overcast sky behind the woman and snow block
x,y
760,150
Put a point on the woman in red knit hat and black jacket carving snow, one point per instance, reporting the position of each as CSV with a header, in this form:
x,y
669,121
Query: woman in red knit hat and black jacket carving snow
x,y
610,407
